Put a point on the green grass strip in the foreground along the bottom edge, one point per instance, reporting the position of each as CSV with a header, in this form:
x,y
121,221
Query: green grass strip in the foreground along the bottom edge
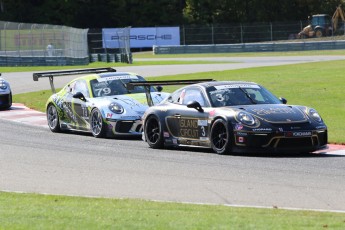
x,y
31,211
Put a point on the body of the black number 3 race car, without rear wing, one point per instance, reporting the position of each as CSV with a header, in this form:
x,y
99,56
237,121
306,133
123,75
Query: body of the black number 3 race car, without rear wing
x,y
232,117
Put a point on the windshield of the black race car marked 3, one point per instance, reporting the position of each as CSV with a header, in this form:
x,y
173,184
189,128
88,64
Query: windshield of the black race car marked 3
x,y
240,94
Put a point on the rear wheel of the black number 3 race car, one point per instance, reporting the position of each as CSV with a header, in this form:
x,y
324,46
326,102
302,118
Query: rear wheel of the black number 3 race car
x,y
153,133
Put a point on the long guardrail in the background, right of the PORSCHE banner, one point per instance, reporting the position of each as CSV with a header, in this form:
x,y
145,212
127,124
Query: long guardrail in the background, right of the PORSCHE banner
x,y
251,47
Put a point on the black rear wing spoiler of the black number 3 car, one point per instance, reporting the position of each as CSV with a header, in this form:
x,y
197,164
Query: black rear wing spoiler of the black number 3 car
x,y
147,85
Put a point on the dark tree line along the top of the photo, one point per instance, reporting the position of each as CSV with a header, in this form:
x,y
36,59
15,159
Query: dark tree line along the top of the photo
x,y
145,13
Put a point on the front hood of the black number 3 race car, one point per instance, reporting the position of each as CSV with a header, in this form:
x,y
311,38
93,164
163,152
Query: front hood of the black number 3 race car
x,y
277,113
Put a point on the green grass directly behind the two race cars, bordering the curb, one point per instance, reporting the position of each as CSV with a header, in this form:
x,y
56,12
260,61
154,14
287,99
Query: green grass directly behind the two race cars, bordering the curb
x,y
318,85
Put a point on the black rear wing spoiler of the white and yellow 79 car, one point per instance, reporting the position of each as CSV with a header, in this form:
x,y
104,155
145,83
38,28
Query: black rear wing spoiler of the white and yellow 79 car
x,y
51,75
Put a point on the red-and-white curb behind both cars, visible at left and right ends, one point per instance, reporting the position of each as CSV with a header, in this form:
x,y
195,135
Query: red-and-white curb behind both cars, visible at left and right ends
x,y
21,113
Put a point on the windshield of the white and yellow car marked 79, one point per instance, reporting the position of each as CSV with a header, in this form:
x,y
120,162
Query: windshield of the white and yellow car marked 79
x,y
115,85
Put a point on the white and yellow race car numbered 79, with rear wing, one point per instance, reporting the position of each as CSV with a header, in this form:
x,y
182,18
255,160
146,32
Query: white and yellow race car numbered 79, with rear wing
x,y
99,102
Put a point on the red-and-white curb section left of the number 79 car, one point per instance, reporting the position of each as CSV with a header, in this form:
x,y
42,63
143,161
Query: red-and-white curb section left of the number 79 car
x,y
22,114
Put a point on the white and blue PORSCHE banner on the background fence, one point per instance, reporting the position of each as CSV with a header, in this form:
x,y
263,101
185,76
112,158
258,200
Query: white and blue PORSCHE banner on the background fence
x,y
141,37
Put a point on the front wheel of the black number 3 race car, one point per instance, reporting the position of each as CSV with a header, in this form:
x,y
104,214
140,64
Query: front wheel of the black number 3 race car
x,y
220,137
